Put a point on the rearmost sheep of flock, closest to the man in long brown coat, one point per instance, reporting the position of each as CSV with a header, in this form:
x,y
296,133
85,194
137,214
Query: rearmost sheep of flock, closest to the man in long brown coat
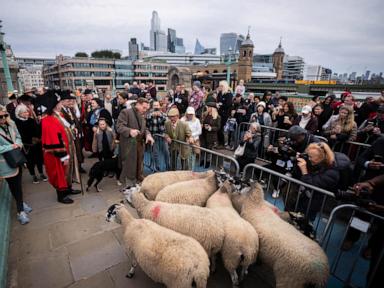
x,y
153,183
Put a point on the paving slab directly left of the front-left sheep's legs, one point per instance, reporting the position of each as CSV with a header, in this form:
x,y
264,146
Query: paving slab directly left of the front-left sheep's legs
x,y
95,254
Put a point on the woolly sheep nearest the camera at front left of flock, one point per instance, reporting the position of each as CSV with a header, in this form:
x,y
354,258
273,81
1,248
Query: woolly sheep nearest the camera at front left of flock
x,y
166,256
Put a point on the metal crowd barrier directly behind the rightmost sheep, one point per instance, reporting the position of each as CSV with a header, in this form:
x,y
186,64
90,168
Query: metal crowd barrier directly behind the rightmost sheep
x,y
293,195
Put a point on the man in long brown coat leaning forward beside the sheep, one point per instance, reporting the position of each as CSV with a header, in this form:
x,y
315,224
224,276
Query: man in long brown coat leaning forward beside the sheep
x,y
133,137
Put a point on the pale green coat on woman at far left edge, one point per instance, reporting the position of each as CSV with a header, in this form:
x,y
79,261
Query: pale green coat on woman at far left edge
x,y
5,146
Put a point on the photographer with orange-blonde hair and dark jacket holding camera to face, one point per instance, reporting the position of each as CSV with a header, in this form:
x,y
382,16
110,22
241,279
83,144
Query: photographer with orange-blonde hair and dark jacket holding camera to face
x,y
321,167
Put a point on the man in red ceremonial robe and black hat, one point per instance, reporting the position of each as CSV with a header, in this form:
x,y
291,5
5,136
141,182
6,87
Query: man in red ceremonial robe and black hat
x,y
59,149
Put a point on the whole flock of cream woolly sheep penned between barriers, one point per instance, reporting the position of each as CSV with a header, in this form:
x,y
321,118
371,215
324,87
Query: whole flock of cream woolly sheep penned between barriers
x,y
188,218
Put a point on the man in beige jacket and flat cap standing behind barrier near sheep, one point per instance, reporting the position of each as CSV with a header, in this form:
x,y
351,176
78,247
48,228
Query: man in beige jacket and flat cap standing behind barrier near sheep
x,y
178,130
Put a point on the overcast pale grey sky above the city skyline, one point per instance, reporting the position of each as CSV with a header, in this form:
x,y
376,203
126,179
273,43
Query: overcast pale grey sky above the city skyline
x,y
344,35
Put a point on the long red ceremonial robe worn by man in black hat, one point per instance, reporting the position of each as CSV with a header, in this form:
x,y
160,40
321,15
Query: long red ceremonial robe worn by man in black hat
x,y
56,144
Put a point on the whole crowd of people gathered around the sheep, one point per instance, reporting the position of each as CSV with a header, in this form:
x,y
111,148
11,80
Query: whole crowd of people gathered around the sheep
x,y
55,129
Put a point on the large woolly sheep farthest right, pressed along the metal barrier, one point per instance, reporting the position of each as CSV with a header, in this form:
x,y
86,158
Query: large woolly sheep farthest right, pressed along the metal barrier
x,y
295,259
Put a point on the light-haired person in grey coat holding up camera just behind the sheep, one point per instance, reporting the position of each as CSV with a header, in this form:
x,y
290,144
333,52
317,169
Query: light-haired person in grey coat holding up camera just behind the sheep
x,y
251,140
